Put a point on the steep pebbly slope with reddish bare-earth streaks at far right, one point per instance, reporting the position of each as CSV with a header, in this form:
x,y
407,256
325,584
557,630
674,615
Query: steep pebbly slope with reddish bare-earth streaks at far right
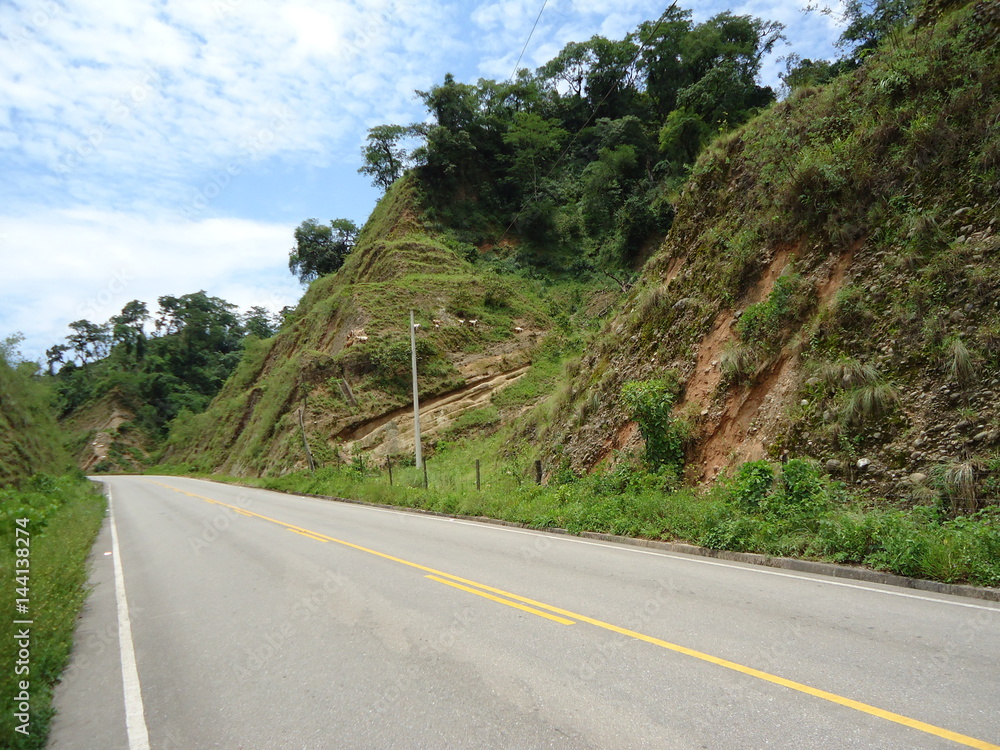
x,y
830,287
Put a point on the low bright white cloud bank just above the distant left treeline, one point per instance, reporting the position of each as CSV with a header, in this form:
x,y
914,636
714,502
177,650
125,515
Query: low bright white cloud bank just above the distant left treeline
x,y
95,261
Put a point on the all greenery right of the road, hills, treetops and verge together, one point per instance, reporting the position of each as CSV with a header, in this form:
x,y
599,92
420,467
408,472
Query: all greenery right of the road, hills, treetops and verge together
x,y
873,177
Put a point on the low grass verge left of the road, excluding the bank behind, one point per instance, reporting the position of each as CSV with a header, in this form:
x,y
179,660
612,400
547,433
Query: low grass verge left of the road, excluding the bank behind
x,y
64,515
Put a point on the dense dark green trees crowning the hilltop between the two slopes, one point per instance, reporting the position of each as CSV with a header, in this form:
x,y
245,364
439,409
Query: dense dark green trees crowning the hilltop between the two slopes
x,y
575,161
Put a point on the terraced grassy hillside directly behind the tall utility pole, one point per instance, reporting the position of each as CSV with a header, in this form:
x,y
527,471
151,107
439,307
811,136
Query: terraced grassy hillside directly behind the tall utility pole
x,y
340,373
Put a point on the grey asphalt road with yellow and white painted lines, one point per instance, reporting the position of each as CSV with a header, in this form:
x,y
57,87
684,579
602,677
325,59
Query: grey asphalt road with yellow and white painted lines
x,y
261,620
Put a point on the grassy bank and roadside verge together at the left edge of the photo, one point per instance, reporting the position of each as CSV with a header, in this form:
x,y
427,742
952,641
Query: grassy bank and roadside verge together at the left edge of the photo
x,y
59,517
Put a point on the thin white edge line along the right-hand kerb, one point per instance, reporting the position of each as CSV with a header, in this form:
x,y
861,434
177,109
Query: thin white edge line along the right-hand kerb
x,y
731,564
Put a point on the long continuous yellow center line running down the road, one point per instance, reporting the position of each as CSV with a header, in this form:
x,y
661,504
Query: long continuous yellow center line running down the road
x,y
725,663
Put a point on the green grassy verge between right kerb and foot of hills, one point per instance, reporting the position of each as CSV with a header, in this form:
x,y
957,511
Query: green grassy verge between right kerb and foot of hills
x,y
791,510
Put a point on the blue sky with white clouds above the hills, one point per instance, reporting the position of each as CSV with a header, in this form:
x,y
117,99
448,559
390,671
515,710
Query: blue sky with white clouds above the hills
x,y
162,147
